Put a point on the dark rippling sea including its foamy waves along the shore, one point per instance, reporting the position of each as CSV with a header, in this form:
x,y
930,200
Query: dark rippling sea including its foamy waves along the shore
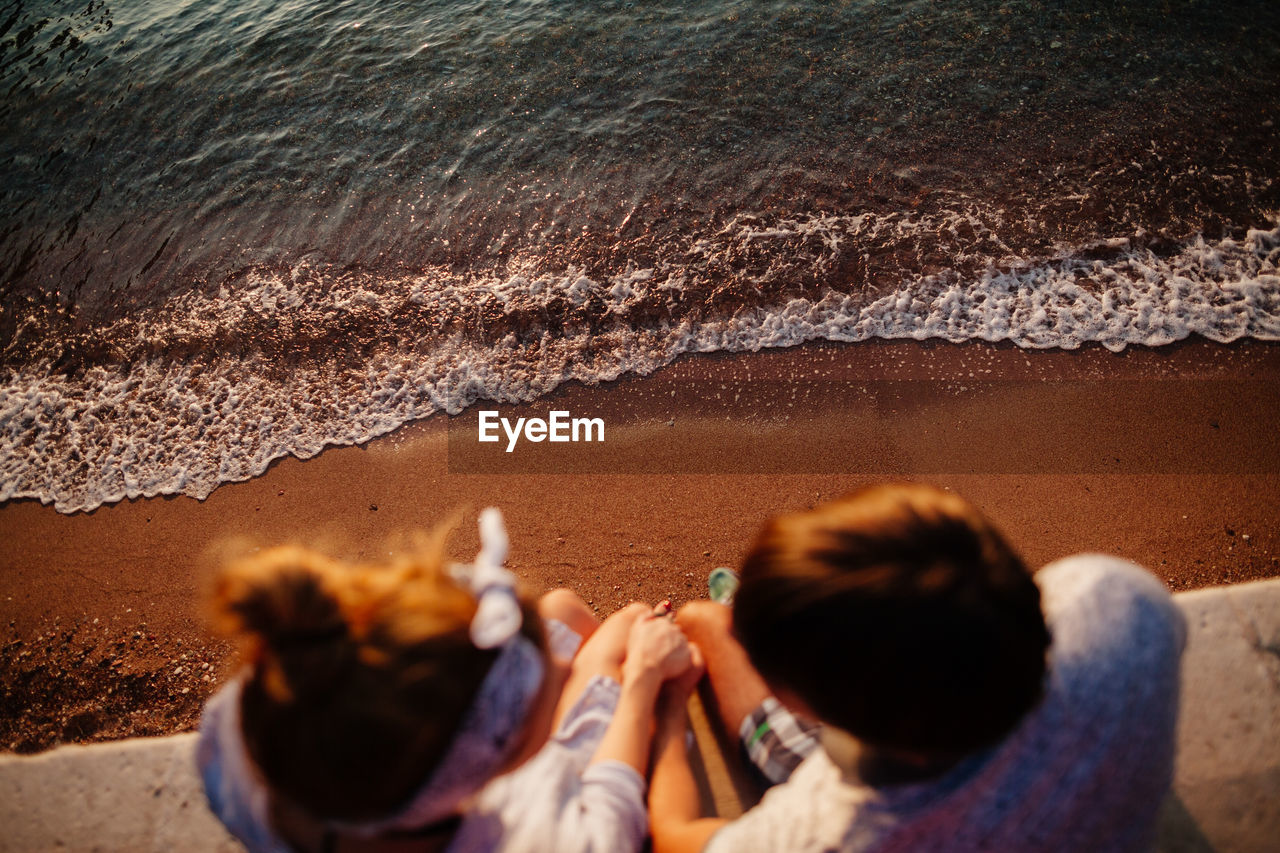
x,y
239,230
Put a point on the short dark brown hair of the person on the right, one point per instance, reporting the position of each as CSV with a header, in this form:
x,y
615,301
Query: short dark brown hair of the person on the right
x,y
899,615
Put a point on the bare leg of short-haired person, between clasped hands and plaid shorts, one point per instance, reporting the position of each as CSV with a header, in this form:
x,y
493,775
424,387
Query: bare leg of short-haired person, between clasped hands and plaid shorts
x,y
738,687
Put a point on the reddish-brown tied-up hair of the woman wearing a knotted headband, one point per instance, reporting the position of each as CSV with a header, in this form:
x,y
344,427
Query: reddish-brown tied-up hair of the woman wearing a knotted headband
x,y
359,676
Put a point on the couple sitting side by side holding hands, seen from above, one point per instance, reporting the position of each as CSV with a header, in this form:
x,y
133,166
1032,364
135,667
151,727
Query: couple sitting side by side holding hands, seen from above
x,y
892,667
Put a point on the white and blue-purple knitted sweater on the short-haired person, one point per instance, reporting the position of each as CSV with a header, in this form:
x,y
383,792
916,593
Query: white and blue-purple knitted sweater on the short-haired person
x,y
1086,770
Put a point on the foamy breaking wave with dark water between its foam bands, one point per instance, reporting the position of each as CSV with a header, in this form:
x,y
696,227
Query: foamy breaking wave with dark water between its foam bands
x,y
217,386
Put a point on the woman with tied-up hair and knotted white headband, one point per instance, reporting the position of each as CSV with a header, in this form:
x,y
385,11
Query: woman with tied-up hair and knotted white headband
x,y
426,708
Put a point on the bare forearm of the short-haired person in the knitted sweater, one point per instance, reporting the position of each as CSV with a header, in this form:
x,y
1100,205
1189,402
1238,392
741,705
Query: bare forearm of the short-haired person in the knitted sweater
x,y
674,816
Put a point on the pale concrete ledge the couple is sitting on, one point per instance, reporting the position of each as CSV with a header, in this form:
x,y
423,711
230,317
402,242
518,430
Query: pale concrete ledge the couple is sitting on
x,y
143,796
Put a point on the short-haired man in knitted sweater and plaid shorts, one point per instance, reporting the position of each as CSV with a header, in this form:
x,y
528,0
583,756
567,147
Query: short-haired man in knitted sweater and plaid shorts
x,y
893,664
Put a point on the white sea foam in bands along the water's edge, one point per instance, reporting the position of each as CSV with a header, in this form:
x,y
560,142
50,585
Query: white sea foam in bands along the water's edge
x,y
162,427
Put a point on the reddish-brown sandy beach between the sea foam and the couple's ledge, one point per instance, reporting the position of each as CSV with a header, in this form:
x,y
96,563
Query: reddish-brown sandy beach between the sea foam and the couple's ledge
x,y
1165,457
